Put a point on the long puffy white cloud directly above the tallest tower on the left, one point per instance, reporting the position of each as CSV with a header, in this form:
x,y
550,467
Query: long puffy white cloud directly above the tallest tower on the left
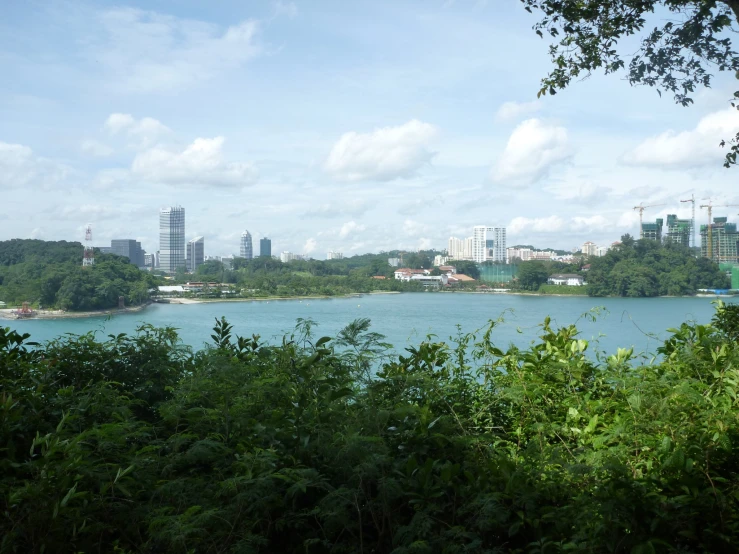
x,y
201,163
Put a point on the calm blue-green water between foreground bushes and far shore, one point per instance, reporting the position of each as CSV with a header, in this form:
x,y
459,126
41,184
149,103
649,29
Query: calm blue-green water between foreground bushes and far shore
x,y
407,318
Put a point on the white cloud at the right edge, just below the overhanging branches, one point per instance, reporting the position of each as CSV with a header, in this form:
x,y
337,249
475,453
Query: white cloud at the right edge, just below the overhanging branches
x,y
694,148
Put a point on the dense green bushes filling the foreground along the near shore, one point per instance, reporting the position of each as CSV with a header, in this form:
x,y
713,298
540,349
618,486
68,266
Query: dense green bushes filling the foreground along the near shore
x,y
137,444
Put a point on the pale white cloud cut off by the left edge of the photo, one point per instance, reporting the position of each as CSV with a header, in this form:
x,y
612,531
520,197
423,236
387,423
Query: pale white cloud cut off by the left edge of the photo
x,y
21,168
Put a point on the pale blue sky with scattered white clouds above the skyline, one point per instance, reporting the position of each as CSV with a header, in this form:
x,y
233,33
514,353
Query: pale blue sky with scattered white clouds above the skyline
x,y
356,127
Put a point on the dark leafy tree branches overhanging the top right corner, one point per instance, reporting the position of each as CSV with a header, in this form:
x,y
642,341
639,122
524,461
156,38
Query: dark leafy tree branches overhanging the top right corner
x,y
691,39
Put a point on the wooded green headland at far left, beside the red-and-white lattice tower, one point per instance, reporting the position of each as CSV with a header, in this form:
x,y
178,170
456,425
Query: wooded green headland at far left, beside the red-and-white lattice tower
x,y
50,274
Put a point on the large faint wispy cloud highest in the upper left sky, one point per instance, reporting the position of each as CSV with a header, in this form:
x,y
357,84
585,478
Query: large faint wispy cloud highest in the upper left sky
x,y
146,51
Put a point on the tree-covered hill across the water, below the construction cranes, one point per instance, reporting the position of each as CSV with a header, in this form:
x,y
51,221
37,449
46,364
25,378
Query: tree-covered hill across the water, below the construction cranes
x,y
648,268
